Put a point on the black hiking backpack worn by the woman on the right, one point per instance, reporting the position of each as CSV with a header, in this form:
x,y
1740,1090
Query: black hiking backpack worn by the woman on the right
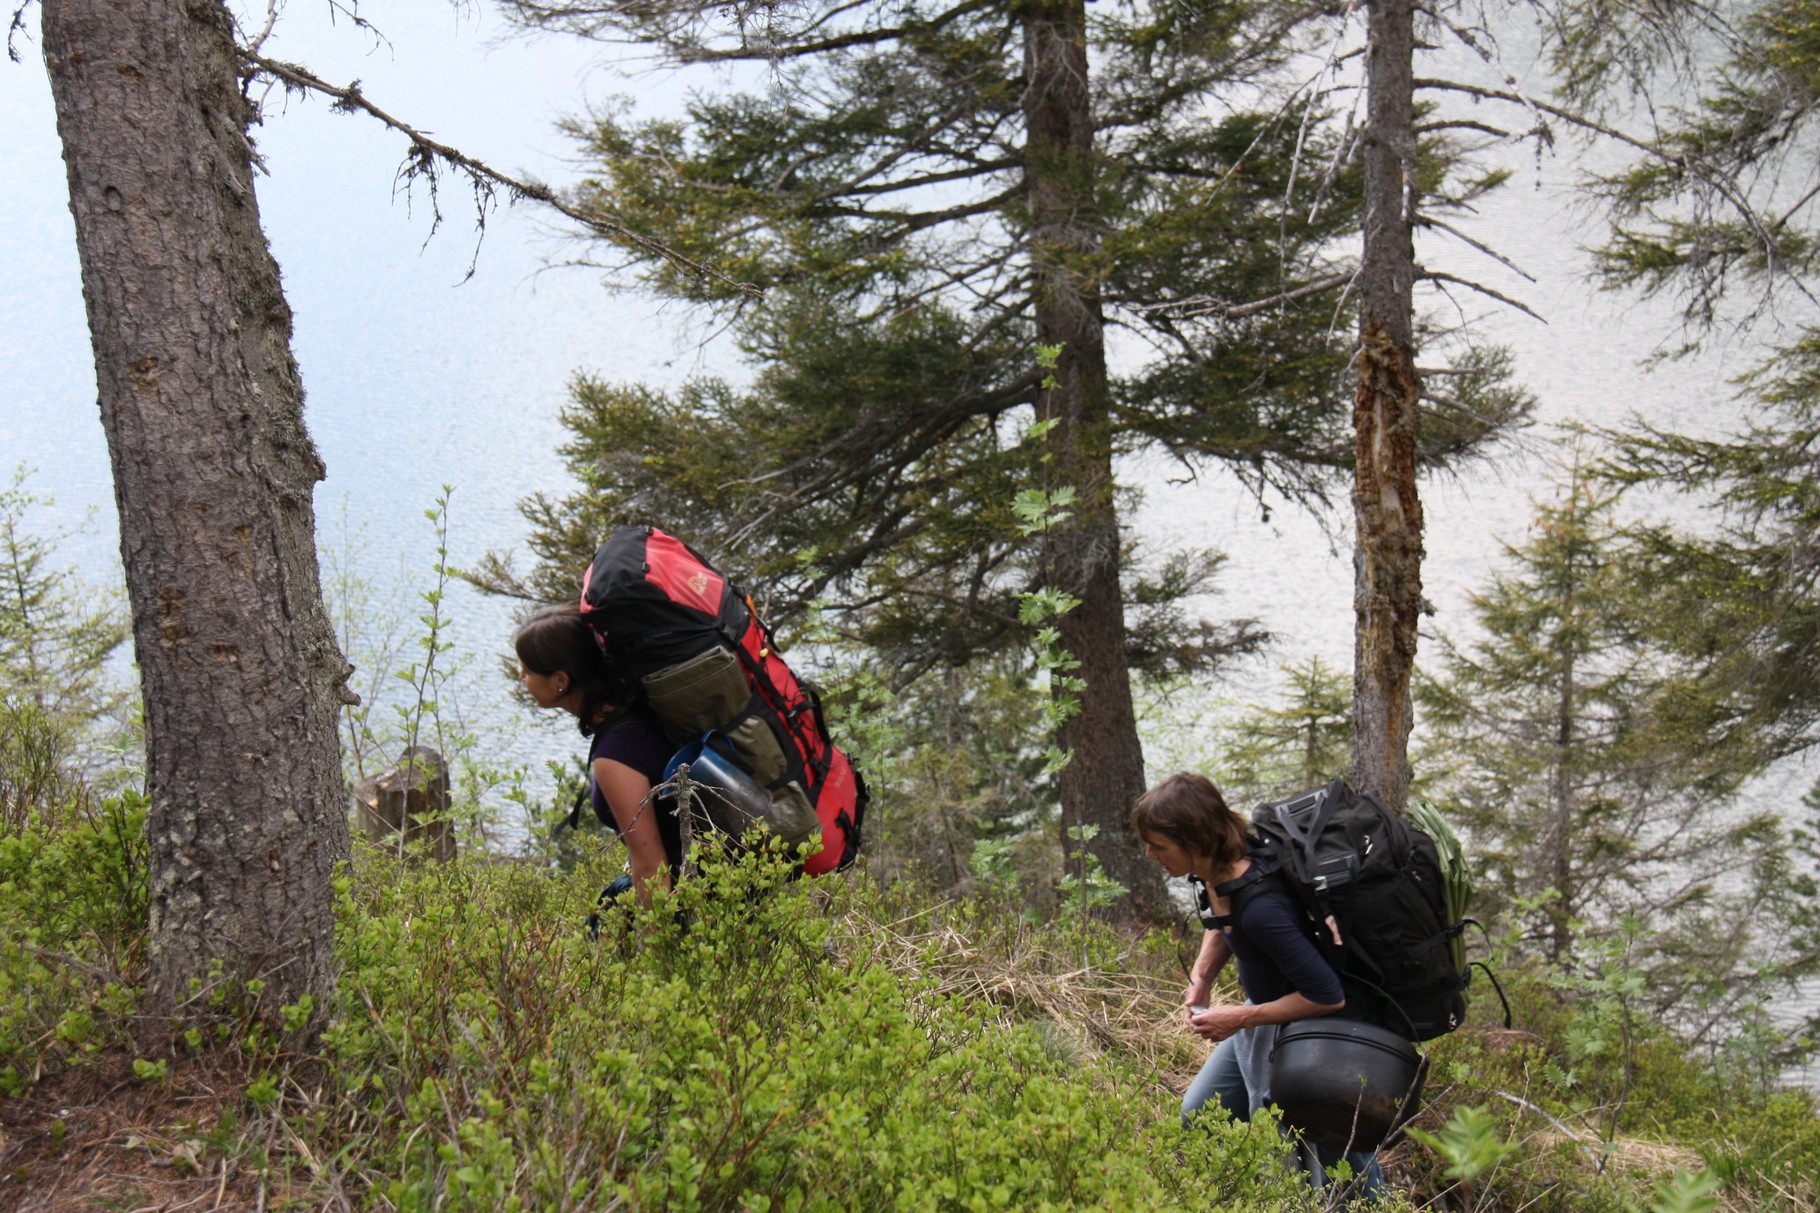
x,y
1388,913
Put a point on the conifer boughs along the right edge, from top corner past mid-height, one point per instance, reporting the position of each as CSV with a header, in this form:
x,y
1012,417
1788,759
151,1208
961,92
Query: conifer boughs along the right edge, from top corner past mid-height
x,y
1721,210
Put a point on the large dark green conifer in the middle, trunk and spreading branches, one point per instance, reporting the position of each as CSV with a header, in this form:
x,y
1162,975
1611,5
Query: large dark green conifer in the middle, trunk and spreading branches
x,y
947,207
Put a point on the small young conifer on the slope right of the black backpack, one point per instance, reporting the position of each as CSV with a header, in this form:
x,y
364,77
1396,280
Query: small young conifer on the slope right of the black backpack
x,y
1597,773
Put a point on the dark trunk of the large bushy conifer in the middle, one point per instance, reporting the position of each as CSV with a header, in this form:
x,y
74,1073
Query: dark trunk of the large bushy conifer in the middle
x,y
1106,775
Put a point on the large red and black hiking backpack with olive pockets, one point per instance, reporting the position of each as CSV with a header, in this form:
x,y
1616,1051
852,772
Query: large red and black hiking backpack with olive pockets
x,y
711,669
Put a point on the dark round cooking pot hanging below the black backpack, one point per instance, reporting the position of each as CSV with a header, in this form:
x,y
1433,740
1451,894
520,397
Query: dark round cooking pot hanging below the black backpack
x,y
1346,1085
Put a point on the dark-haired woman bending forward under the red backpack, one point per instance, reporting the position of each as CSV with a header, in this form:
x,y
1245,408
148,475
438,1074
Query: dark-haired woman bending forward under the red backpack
x,y
561,668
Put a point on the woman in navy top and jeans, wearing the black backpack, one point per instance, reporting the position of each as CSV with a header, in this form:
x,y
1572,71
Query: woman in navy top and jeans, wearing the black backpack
x,y
1188,828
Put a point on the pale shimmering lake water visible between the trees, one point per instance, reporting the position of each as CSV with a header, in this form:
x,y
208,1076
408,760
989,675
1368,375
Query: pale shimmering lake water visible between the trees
x,y
421,376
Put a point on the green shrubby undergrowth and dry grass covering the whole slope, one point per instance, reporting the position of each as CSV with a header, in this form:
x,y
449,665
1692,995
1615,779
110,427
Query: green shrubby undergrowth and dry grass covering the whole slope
x,y
825,1045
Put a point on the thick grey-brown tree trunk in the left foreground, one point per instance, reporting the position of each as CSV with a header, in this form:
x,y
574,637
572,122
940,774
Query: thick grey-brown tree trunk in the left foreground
x,y
214,478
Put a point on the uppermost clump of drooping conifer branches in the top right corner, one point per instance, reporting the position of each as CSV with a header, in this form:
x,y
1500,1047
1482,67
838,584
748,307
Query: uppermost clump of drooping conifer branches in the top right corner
x,y
1719,210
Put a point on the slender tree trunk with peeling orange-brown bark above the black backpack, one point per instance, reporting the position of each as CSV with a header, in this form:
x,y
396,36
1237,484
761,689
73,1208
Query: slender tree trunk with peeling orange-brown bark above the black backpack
x,y
1388,511
